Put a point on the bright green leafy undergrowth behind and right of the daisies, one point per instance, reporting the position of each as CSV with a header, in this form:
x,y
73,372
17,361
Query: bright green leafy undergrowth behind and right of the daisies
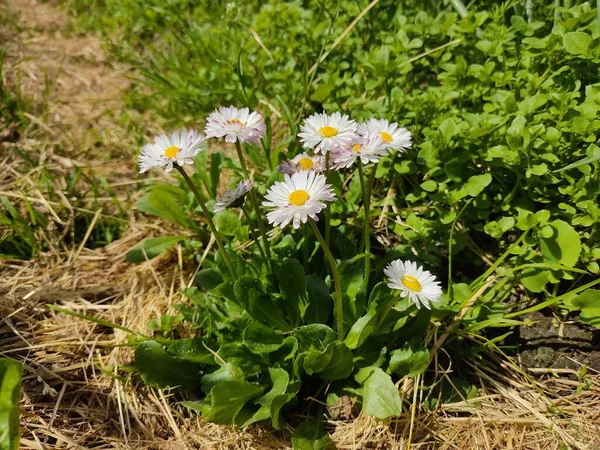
x,y
496,114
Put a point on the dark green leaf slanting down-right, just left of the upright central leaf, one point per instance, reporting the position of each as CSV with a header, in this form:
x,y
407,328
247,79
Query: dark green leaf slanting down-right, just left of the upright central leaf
x,y
248,291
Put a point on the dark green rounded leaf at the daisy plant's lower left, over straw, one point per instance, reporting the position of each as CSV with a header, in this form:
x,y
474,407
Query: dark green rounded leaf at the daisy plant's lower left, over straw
x,y
159,369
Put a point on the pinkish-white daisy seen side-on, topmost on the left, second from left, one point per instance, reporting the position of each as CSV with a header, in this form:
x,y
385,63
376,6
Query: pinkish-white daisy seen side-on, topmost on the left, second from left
x,y
235,125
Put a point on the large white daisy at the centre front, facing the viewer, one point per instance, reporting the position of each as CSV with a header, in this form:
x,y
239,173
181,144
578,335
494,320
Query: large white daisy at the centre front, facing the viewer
x,y
297,198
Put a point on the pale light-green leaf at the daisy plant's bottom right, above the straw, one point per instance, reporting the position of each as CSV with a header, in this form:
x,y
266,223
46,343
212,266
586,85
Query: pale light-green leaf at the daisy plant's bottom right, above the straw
x,y
381,399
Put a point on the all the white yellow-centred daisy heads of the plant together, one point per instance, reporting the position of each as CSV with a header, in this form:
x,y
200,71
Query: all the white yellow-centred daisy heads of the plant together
x,y
336,142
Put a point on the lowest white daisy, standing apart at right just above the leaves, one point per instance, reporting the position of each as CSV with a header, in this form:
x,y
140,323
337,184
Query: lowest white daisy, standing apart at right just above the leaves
x,y
418,284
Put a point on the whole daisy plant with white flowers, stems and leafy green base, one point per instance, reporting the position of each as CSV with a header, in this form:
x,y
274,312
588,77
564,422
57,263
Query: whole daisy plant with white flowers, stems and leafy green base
x,y
269,327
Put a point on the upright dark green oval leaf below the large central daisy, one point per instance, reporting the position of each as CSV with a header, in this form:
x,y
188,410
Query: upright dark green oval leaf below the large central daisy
x,y
292,283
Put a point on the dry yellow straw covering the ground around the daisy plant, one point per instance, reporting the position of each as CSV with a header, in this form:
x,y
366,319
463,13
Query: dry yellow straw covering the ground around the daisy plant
x,y
72,397
